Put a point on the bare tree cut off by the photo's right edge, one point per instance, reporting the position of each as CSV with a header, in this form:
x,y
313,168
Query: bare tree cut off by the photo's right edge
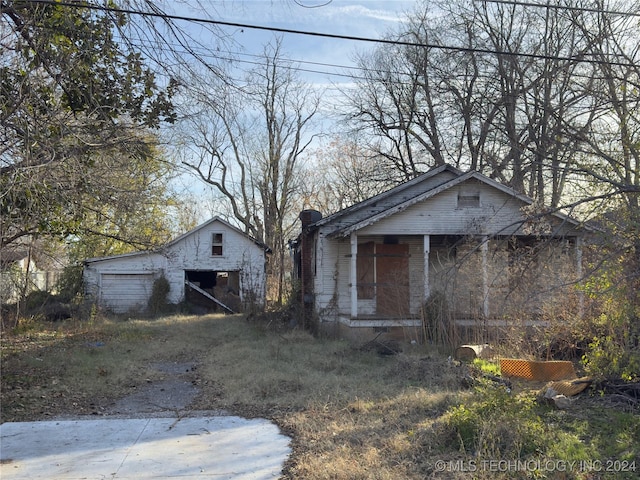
x,y
610,147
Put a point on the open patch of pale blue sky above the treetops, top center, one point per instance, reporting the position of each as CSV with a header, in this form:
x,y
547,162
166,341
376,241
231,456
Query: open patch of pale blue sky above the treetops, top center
x,y
360,18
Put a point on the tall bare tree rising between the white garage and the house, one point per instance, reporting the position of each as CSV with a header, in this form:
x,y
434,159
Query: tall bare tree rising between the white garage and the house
x,y
249,141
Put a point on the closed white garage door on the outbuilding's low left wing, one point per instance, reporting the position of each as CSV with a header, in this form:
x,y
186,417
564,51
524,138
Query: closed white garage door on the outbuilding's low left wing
x,y
121,293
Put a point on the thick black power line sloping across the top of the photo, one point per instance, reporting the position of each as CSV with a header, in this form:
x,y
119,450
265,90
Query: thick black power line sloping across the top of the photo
x,y
166,16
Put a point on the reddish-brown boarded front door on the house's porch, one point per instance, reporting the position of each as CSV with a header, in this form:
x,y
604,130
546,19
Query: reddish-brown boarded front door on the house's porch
x,y
392,280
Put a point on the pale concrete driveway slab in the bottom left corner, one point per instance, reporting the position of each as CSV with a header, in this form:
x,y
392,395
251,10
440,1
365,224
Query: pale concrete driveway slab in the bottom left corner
x,y
220,447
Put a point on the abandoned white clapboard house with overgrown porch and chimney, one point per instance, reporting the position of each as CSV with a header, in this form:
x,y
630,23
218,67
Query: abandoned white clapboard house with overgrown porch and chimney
x,y
446,247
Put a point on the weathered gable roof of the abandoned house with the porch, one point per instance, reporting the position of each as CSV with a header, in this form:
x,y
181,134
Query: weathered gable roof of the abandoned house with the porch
x,y
399,198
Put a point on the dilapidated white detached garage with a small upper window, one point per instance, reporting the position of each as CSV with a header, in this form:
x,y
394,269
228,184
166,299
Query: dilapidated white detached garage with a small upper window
x,y
215,264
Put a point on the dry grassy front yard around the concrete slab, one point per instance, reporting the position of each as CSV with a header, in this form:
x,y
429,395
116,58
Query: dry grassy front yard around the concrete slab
x,y
351,413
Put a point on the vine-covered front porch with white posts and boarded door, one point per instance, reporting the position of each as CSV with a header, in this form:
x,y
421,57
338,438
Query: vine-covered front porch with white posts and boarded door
x,y
476,279
